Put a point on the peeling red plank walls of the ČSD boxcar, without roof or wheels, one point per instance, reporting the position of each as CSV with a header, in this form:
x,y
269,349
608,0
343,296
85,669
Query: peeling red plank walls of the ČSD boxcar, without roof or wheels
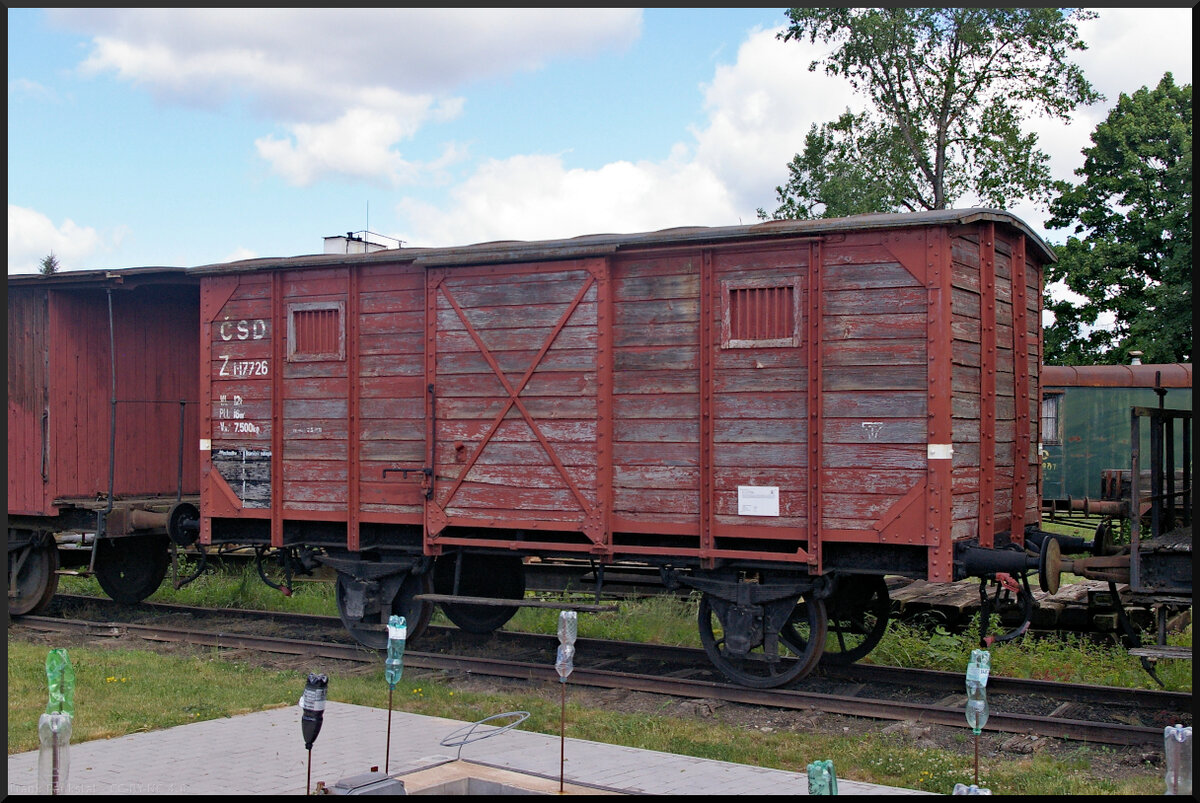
x,y
601,398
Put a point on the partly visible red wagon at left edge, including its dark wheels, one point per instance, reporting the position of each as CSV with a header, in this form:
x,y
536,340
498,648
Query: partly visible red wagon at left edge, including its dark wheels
x,y
104,395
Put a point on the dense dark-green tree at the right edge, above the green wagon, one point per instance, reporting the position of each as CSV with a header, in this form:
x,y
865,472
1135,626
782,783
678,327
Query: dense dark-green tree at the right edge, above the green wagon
x,y
1135,261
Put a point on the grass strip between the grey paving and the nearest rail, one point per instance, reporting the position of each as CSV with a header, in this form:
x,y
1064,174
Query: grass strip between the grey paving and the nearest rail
x,y
125,691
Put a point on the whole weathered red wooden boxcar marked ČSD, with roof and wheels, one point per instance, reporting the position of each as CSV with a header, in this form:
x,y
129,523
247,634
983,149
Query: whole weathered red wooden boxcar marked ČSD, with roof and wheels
x,y
775,415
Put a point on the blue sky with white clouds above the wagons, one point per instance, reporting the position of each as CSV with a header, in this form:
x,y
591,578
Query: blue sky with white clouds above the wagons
x,y
190,137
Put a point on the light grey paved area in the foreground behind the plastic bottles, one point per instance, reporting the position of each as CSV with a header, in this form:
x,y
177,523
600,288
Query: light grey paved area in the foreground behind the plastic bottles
x,y
263,754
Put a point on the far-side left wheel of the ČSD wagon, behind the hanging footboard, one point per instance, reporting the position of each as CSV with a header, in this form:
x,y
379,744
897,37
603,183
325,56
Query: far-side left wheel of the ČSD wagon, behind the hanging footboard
x,y
499,577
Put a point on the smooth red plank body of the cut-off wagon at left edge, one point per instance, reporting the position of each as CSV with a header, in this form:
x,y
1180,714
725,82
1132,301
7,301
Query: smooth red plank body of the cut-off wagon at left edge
x,y
62,391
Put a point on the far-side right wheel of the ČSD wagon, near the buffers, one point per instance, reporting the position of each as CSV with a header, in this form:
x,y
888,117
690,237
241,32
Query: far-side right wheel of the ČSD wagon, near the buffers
x,y
857,620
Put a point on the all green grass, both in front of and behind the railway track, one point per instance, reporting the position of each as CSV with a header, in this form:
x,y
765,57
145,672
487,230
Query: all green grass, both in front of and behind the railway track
x,y
122,692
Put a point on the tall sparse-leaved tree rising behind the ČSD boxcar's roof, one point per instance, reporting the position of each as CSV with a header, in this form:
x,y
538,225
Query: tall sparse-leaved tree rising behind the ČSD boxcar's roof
x,y
949,89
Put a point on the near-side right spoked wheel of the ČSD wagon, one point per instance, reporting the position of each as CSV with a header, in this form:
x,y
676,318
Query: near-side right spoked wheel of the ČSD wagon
x,y
755,669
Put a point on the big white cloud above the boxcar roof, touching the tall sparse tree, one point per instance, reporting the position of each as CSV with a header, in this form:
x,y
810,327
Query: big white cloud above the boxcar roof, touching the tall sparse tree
x,y
759,111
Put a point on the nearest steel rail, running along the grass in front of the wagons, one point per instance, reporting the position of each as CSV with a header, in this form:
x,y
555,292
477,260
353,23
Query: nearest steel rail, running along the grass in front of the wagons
x,y
789,699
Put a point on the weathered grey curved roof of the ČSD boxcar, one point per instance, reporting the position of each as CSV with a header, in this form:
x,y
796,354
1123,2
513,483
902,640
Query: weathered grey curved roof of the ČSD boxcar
x,y
601,244
